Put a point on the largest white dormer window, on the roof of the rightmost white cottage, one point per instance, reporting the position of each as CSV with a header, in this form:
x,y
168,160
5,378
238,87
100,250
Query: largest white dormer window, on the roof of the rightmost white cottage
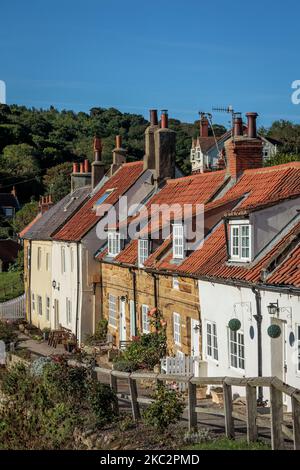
x,y
240,241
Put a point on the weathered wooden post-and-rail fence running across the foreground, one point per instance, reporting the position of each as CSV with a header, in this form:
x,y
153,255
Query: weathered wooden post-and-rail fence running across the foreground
x,y
252,418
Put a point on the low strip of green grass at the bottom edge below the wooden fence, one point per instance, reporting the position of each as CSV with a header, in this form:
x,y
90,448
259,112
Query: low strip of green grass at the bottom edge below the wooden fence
x,y
223,443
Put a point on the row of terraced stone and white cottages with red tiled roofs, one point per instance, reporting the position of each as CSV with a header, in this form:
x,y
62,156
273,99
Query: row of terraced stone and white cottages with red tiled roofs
x,y
230,299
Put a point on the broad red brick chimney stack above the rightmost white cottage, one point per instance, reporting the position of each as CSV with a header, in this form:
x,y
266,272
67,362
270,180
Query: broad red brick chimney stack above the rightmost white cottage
x,y
244,152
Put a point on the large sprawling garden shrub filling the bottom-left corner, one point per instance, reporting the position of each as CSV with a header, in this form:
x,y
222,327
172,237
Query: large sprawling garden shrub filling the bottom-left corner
x,y
44,407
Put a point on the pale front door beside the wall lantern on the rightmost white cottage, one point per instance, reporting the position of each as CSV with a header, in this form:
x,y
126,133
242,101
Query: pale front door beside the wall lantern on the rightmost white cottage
x,y
278,351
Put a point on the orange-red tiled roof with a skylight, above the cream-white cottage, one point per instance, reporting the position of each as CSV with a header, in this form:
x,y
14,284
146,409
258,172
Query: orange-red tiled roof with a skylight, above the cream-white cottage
x,y
86,216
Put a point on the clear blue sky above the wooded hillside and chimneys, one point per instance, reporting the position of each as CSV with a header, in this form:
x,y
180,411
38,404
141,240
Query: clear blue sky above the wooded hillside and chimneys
x,y
180,55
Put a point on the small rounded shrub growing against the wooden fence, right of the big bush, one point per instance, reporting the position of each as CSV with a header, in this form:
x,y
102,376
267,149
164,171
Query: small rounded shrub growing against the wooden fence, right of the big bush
x,y
167,408
